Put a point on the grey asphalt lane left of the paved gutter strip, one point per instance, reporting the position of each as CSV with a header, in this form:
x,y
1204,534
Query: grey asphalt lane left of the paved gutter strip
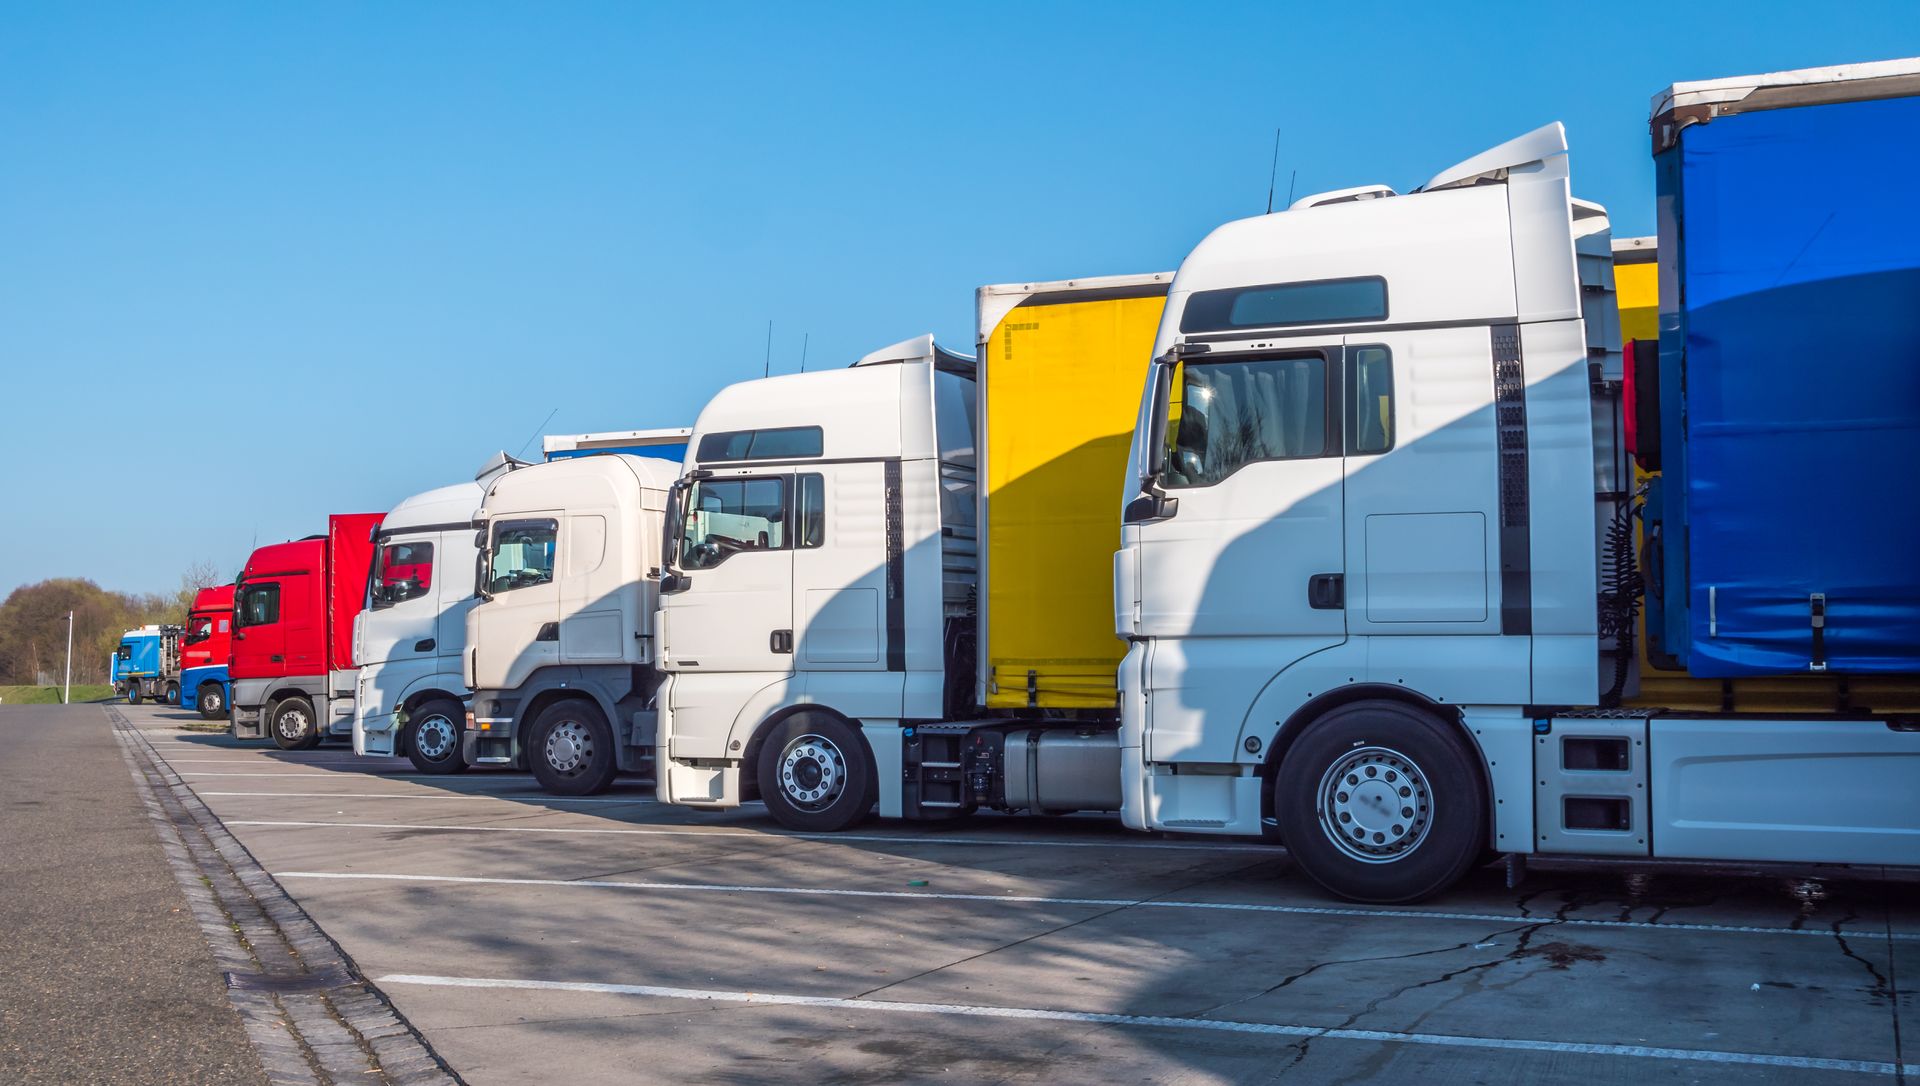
x,y
105,976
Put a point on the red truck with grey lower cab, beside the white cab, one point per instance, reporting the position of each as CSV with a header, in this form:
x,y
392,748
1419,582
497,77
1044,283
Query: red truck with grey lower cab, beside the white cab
x,y
293,651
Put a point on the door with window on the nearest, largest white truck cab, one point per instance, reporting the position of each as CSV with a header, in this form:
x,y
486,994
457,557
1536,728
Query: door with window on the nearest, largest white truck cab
x,y
1255,546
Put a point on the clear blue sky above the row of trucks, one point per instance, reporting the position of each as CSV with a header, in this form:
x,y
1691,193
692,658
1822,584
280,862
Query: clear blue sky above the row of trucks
x,y
268,262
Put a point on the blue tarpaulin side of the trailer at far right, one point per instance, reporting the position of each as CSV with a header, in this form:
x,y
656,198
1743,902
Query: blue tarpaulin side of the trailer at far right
x,y
1798,342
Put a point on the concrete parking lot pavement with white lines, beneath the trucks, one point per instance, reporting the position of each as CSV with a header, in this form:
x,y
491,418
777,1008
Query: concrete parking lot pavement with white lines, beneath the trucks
x,y
539,939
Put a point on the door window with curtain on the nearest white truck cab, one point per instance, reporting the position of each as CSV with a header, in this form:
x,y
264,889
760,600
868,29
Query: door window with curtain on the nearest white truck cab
x,y
1237,412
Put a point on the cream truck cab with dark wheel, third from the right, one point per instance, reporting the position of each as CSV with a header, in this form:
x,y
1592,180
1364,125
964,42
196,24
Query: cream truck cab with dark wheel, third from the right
x,y
562,642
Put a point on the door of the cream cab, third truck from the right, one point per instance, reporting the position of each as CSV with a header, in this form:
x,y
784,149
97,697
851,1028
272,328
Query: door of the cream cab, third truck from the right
x,y
519,626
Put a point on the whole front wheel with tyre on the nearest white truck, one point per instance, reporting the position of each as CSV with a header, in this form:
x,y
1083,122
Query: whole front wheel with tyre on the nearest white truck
x,y
1381,803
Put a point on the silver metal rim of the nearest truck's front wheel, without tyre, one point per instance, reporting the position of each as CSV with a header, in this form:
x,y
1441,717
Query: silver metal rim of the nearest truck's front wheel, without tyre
x,y
1376,805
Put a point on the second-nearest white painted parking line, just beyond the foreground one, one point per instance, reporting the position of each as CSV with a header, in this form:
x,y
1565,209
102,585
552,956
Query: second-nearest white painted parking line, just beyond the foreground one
x,y
1090,903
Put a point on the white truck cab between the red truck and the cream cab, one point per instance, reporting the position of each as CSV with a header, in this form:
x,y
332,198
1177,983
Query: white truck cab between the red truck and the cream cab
x,y
410,638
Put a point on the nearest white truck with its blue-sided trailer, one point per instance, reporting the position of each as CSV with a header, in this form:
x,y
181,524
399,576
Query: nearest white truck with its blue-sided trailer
x,y
1378,571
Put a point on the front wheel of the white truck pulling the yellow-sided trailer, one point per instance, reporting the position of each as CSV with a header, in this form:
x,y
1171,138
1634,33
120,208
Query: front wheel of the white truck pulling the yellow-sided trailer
x,y
815,774
